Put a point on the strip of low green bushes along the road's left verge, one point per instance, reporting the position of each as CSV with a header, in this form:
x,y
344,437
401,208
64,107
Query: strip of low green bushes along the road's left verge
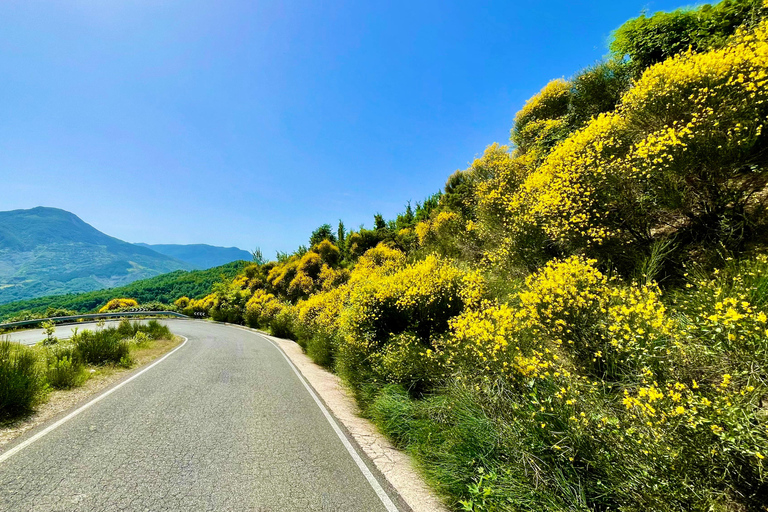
x,y
28,374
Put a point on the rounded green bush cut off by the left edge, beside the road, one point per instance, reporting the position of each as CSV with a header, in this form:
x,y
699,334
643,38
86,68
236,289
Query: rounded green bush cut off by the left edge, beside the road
x,y
21,381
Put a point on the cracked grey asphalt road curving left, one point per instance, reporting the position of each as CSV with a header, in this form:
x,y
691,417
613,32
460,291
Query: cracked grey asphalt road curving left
x,y
223,423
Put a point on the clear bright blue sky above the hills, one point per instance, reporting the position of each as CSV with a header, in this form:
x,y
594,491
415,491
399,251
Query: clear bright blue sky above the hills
x,y
250,123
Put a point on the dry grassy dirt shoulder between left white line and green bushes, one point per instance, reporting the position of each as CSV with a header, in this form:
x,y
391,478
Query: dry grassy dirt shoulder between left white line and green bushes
x,y
101,378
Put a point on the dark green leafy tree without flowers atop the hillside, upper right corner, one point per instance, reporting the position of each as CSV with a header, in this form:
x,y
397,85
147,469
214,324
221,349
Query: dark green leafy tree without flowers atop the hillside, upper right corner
x,y
648,40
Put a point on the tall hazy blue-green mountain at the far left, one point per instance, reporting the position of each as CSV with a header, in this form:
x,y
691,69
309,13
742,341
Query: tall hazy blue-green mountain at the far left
x,y
46,251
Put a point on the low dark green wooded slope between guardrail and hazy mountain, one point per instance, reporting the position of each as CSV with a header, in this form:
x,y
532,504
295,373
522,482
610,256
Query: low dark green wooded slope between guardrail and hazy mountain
x,y
164,288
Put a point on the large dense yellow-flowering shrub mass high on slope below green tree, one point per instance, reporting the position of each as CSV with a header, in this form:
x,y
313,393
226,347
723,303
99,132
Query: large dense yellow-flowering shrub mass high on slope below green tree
x,y
684,140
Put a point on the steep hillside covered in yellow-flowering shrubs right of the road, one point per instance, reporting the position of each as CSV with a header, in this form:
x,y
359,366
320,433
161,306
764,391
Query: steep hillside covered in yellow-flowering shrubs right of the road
x,y
578,321
